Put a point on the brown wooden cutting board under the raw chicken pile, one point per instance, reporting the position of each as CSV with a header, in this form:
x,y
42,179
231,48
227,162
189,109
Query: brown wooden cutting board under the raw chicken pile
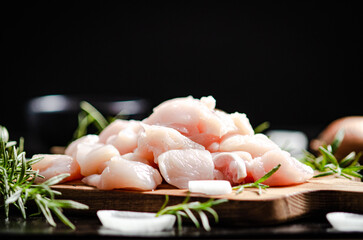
x,y
275,205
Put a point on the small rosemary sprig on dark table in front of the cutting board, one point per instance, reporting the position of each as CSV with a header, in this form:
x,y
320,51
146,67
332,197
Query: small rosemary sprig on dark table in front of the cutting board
x,y
185,209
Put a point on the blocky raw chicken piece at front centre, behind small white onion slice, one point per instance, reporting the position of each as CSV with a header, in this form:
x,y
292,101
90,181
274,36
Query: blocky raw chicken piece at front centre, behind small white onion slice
x,y
180,166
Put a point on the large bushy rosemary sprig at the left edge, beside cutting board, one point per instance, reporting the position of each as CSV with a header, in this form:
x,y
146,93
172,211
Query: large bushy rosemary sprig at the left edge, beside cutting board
x,y
17,185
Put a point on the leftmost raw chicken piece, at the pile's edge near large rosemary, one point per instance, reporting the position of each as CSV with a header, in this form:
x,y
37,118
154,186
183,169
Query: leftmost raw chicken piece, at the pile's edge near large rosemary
x,y
54,164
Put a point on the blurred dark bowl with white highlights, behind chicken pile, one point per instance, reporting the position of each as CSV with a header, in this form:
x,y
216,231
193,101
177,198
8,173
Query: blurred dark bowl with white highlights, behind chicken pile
x,y
52,119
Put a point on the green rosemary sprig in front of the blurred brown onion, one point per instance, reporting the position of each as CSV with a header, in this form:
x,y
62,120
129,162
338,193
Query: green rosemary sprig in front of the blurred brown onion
x,y
327,164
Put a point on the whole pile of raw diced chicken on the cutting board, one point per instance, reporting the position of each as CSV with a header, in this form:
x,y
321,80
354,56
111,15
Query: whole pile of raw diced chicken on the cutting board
x,y
183,139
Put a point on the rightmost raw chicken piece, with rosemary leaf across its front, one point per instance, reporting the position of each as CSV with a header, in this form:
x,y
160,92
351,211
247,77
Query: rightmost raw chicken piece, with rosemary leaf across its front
x,y
291,171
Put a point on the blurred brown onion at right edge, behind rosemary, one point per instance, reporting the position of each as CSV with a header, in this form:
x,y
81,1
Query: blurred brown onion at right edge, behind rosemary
x,y
353,135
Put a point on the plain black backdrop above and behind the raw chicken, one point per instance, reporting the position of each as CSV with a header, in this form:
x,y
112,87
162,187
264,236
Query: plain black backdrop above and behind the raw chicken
x,y
294,63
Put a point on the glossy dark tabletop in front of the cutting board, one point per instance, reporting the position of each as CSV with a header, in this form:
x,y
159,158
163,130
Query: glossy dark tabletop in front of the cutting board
x,y
89,227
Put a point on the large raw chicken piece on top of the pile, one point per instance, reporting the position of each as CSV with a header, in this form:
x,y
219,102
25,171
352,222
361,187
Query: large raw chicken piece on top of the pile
x,y
193,117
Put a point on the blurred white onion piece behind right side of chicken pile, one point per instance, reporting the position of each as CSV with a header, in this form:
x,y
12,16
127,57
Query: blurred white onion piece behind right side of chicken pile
x,y
295,142
